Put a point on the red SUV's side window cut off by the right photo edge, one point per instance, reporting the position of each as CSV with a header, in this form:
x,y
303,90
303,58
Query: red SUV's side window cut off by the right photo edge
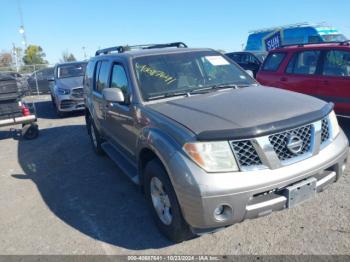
x,y
337,63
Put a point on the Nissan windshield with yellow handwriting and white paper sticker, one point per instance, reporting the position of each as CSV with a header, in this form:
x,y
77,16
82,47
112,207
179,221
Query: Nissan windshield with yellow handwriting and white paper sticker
x,y
171,74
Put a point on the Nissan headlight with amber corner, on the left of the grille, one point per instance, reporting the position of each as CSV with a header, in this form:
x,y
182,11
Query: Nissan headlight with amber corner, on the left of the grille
x,y
212,156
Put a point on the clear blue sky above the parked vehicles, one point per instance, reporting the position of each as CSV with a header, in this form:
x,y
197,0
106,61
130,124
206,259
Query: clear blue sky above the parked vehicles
x,y
69,25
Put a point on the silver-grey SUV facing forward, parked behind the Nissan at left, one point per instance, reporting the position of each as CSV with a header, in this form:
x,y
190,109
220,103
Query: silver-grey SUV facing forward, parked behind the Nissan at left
x,y
67,90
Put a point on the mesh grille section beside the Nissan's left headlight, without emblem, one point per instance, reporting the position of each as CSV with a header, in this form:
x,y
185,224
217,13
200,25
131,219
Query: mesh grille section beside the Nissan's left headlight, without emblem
x,y
245,153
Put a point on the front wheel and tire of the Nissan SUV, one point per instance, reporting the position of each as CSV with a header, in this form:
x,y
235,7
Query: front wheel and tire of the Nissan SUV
x,y
163,203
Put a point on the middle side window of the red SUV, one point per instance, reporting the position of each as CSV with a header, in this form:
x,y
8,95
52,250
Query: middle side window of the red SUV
x,y
304,63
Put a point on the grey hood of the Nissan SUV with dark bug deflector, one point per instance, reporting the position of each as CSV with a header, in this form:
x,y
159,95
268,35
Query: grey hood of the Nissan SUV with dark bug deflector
x,y
243,113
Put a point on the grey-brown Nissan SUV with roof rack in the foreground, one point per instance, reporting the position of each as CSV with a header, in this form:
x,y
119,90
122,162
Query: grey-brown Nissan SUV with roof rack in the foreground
x,y
208,145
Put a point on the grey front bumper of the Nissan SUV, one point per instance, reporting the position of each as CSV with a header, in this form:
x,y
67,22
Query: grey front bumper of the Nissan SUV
x,y
248,194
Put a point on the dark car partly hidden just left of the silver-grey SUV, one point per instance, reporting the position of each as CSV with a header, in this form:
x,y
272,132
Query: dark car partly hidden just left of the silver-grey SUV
x,y
38,81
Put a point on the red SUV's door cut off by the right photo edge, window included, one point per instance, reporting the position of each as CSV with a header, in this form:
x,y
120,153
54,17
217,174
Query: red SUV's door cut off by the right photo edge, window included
x,y
334,80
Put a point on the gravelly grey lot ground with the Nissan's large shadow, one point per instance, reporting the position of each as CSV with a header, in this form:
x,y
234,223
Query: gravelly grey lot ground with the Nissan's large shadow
x,y
58,197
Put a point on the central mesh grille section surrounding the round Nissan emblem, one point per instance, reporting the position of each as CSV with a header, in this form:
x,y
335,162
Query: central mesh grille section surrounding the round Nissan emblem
x,y
279,142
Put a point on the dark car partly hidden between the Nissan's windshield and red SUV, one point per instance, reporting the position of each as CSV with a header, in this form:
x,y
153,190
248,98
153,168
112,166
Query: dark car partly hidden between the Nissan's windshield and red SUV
x,y
248,60
